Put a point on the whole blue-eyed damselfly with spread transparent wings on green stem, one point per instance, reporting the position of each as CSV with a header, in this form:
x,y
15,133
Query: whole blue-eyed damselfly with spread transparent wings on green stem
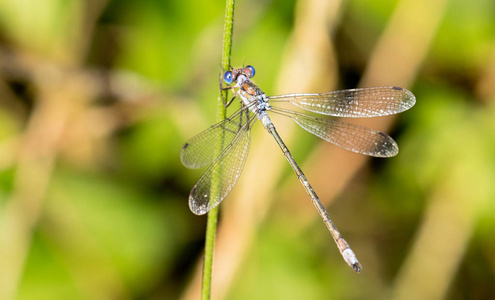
x,y
224,146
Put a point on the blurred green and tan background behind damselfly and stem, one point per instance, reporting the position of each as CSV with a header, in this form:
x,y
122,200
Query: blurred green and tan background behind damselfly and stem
x,y
98,96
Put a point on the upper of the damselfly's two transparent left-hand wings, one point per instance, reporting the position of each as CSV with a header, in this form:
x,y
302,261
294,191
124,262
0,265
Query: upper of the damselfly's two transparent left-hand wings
x,y
204,148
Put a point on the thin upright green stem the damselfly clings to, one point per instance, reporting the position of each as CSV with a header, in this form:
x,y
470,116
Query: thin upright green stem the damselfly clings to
x,y
211,225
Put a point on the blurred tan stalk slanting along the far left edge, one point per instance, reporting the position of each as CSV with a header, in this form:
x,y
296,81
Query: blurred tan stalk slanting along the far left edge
x,y
34,167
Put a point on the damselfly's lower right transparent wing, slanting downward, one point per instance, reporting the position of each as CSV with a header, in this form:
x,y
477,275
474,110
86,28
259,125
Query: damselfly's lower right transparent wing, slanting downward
x,y
348,136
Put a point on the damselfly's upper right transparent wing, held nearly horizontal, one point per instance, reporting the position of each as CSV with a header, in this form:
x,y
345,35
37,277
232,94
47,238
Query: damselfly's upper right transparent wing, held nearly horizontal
x,y
357,103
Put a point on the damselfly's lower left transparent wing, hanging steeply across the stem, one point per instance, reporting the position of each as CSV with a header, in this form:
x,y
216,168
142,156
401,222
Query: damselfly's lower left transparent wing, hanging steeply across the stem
x,y
219,179
